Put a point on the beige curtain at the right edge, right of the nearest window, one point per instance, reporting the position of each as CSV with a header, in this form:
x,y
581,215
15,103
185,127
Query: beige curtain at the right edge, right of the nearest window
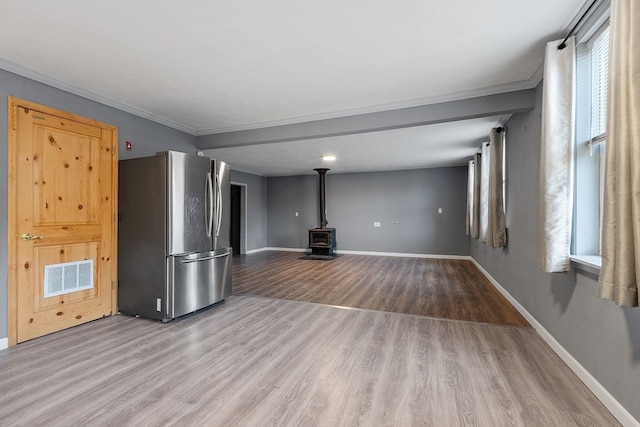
x,y
620,271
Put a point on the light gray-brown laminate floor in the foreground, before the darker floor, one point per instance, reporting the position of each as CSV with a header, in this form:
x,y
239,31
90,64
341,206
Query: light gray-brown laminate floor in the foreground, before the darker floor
x,y
256,361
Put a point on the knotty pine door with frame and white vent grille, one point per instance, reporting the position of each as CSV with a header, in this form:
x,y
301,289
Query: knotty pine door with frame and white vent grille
x,y
62,220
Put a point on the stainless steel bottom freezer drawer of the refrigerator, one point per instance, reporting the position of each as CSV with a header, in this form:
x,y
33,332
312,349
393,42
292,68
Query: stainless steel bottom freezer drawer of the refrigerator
x,y
197,280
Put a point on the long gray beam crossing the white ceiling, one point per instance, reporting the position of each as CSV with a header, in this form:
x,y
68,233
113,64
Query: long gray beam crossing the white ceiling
x,y
470,108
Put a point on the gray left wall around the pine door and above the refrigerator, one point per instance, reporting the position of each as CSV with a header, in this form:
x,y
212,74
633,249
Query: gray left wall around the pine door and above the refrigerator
x,y
147,137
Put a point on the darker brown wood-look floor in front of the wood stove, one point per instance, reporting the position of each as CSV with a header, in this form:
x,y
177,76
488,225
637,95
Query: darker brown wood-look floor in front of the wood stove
x,y
443,288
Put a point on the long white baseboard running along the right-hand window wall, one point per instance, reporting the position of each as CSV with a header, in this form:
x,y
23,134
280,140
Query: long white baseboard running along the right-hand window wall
x,y
618,411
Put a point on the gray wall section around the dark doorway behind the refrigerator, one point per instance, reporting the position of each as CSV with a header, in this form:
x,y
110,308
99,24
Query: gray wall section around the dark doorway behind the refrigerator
x,y
256,209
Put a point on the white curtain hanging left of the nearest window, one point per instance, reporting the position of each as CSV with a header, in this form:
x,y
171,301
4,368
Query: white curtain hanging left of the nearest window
x,y
556,156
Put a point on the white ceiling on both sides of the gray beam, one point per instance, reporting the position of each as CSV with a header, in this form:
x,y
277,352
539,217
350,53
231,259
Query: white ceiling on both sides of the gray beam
x,y
216,66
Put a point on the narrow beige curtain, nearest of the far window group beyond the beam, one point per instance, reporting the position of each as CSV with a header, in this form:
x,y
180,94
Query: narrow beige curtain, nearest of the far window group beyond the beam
x,y
498,230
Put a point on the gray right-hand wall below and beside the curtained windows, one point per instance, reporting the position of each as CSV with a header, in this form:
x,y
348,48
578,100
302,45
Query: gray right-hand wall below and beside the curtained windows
x,y
603,338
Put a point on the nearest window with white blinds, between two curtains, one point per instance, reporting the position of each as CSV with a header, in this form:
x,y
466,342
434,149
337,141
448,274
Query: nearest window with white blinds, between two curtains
x,y
591,119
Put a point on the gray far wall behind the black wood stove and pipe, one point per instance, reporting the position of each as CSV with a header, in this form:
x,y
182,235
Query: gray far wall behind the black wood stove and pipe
x,y
404,202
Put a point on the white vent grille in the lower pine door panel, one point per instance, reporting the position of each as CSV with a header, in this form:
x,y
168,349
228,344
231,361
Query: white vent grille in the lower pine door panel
x,y
60,279
